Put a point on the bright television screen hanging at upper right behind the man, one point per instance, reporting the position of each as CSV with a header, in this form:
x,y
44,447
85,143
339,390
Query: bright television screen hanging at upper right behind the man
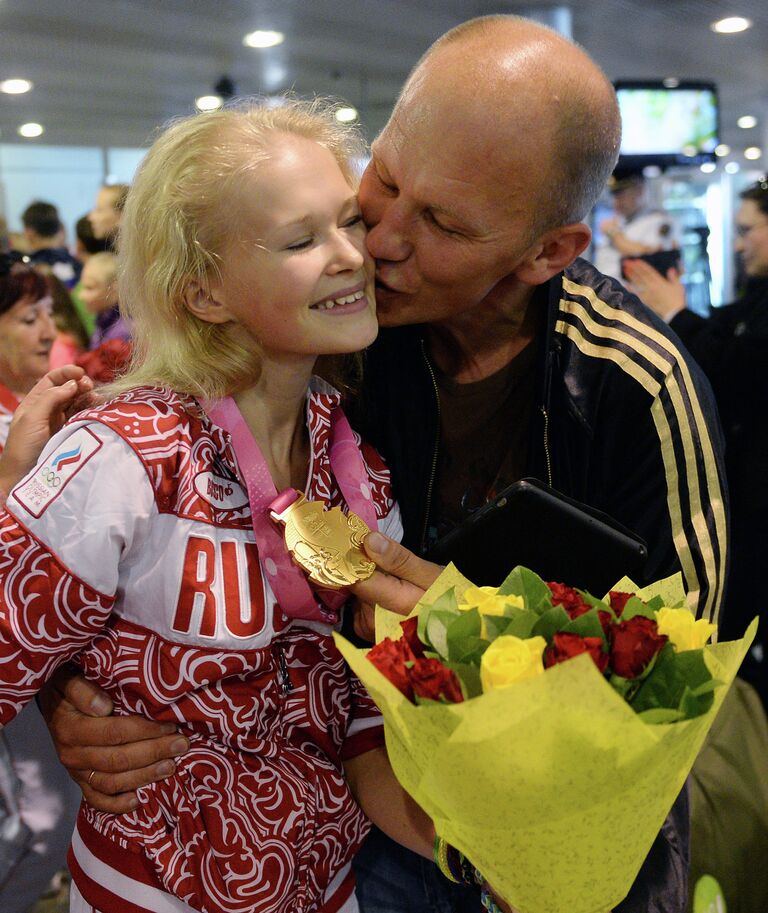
x,y
662,125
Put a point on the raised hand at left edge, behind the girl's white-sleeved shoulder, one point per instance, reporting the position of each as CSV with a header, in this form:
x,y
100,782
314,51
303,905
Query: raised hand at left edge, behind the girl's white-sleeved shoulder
x,y
41,414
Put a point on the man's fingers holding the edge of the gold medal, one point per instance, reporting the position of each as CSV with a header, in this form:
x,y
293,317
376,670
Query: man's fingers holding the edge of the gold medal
x,y
401,580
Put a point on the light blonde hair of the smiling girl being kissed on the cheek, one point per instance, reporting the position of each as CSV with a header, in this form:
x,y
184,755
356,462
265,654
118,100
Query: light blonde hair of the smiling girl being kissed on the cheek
x,y
178,218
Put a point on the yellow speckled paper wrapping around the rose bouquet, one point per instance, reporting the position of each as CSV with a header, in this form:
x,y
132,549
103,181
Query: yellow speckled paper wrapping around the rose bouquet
x,y
553,787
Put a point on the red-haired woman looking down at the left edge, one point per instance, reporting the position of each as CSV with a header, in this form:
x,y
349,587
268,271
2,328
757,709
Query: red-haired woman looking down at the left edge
x,y
37,805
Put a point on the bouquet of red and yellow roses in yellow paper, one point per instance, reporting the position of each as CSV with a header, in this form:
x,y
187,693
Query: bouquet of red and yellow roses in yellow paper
x,y
547,732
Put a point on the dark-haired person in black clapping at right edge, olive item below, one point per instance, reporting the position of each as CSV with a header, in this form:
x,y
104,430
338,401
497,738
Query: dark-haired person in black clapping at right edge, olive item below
x,y
729,795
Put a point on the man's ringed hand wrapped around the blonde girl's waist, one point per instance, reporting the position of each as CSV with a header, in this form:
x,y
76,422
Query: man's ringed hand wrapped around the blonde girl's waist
x,y
107,756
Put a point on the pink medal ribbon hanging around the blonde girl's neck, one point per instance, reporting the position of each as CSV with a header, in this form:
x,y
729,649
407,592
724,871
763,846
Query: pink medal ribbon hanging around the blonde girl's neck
x,y
289,584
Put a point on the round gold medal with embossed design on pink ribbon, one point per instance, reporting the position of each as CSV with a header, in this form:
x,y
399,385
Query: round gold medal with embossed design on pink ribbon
x,y
327,544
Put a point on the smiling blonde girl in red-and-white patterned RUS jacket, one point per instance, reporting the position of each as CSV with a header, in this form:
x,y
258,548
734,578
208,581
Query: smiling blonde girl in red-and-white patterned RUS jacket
x,y
140,546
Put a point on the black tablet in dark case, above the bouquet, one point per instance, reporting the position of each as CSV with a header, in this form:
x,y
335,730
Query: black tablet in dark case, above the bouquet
x,y
533,525
